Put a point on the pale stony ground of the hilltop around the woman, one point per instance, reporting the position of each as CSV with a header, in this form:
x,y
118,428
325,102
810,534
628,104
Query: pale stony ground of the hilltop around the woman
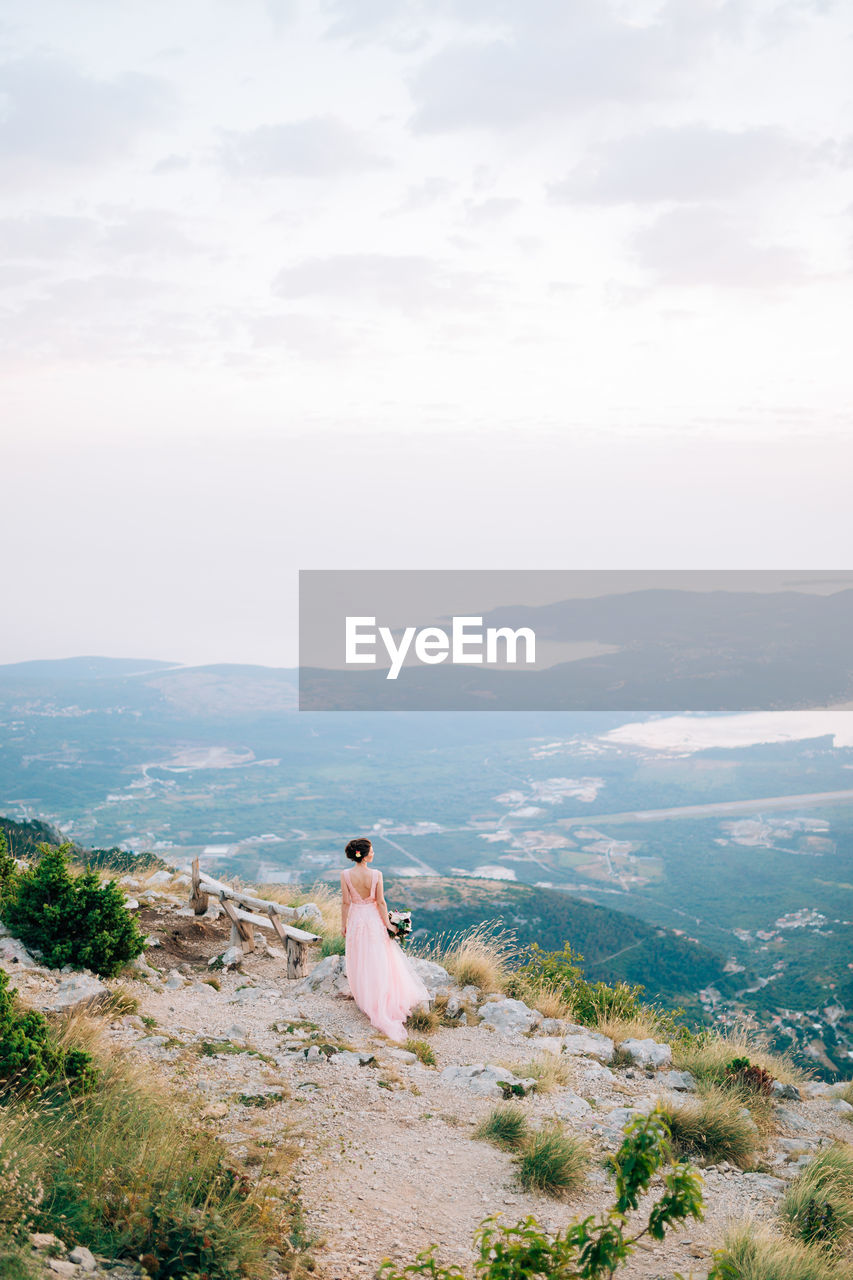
x,y
384,1146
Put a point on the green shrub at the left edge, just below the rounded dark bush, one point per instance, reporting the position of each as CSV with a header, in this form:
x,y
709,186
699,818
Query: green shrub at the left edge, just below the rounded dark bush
x,y
31,1059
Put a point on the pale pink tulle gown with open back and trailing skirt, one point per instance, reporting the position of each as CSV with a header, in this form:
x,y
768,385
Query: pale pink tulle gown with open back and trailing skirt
x,y
384,984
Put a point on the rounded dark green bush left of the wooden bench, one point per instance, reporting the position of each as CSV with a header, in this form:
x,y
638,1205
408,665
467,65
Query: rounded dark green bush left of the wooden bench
x,y
72,920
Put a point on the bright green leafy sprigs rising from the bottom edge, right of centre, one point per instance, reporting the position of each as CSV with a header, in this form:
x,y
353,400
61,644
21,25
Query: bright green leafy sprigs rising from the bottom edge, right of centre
x,y
592,1249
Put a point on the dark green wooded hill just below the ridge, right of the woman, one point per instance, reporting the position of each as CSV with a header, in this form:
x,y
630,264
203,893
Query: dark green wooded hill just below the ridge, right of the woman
x,y
615,947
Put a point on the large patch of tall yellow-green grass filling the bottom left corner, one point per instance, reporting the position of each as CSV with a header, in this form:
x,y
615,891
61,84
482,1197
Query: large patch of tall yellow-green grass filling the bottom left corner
x,y
122,1172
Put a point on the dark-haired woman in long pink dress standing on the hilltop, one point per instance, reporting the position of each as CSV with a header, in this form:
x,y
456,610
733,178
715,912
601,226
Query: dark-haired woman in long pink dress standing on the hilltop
x,y
384,984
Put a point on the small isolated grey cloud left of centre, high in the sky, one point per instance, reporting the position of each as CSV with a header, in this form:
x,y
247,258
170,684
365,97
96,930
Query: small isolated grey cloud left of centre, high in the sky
x,y
317,148
